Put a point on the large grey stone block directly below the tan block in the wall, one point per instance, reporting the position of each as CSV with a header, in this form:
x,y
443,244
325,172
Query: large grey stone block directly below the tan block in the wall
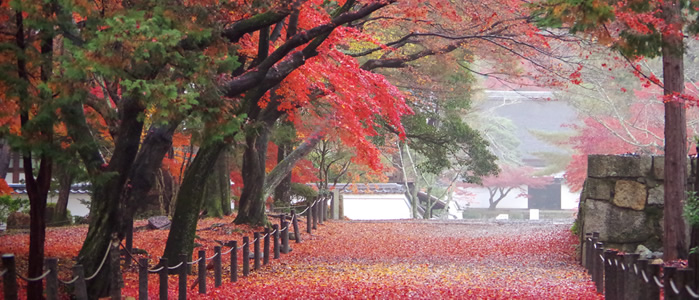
x,y
616,225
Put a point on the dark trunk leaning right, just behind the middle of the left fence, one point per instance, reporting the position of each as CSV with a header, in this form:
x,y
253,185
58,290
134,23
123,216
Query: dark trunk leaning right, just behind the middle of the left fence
x,y
189,201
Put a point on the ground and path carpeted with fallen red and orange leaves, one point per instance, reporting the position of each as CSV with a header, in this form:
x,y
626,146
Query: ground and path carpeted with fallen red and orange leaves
x,y
375,260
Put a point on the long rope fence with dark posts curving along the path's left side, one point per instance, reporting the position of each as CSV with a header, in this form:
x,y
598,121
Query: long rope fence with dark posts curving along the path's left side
x,y
315,214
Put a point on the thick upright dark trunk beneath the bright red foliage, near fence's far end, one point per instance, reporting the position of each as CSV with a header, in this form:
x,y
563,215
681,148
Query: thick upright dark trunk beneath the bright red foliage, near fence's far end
x,y
251,208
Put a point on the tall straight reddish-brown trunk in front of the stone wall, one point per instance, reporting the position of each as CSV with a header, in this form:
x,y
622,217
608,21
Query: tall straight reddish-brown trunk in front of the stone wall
x,y
675,134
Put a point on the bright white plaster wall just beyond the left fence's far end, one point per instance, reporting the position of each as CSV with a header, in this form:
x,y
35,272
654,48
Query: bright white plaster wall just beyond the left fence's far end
x,y
376,207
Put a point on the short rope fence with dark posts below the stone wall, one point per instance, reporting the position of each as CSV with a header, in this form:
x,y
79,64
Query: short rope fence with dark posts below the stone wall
x,y
627,276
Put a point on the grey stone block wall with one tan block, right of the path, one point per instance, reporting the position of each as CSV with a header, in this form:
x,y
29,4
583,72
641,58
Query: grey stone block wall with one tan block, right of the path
x,y
623,198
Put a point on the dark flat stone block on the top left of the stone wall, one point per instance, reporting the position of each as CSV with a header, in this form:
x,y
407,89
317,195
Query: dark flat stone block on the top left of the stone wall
x,y
601,166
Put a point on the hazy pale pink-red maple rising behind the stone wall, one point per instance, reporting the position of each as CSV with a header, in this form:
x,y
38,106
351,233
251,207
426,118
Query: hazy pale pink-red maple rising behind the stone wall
x,y
620,114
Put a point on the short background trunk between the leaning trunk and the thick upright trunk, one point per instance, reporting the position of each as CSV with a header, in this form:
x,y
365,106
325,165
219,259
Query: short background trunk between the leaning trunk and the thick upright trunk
x,y
217,191
